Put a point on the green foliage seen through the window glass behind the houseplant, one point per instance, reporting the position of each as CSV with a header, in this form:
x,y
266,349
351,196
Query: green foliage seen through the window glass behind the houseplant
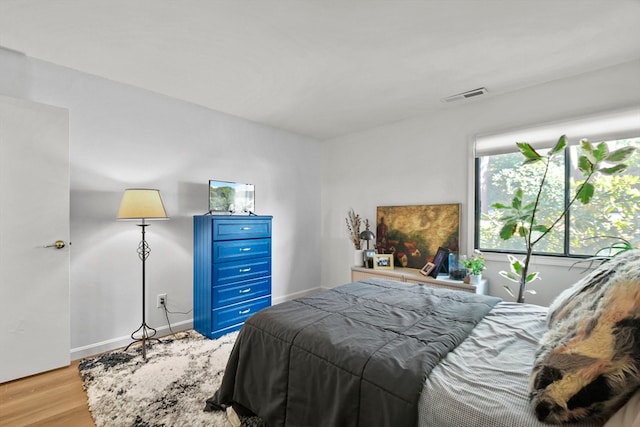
x,y
612,214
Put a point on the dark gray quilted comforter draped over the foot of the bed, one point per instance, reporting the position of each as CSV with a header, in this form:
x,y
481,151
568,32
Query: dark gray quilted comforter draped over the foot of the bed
x,y
356,355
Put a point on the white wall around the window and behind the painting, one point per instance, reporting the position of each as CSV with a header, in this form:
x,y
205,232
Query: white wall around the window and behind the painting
x,y
427,160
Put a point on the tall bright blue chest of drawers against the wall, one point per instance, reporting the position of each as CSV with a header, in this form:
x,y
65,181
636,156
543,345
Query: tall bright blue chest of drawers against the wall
x,y
231,271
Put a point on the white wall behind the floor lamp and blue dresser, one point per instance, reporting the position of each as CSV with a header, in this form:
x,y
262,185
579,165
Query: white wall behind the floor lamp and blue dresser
x,y
122,137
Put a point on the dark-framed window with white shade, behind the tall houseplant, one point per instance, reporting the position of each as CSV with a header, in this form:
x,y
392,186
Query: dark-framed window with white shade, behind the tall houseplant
x,y
613,213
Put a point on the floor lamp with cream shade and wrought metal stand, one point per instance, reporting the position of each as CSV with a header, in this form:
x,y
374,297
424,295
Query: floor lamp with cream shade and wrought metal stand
x,y
142,204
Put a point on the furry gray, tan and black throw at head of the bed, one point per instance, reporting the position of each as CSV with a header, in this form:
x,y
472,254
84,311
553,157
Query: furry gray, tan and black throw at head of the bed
x,y
588,363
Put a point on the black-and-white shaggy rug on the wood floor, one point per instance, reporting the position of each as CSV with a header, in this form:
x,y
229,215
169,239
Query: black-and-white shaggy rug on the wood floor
x,y
168,389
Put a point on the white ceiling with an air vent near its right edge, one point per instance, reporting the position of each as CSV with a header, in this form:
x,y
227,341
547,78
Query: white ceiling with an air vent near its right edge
x,y
325,68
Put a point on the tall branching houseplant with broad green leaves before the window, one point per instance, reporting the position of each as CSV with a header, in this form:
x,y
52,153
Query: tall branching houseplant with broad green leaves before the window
x,y
519,218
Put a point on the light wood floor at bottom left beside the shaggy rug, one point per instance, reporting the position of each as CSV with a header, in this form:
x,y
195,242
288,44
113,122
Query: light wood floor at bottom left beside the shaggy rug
x,y
54,398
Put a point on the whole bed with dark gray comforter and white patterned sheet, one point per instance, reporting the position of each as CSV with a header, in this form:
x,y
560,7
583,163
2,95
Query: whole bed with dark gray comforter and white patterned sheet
x,y
383,353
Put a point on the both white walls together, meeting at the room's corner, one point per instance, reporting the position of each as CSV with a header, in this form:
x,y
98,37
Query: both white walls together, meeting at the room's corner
x,y
123,137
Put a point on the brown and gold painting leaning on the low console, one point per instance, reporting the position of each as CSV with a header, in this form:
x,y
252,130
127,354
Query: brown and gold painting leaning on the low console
x,y
414,233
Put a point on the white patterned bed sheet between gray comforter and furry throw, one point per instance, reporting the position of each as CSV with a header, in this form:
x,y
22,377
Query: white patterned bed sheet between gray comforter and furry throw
x,y
484,382
